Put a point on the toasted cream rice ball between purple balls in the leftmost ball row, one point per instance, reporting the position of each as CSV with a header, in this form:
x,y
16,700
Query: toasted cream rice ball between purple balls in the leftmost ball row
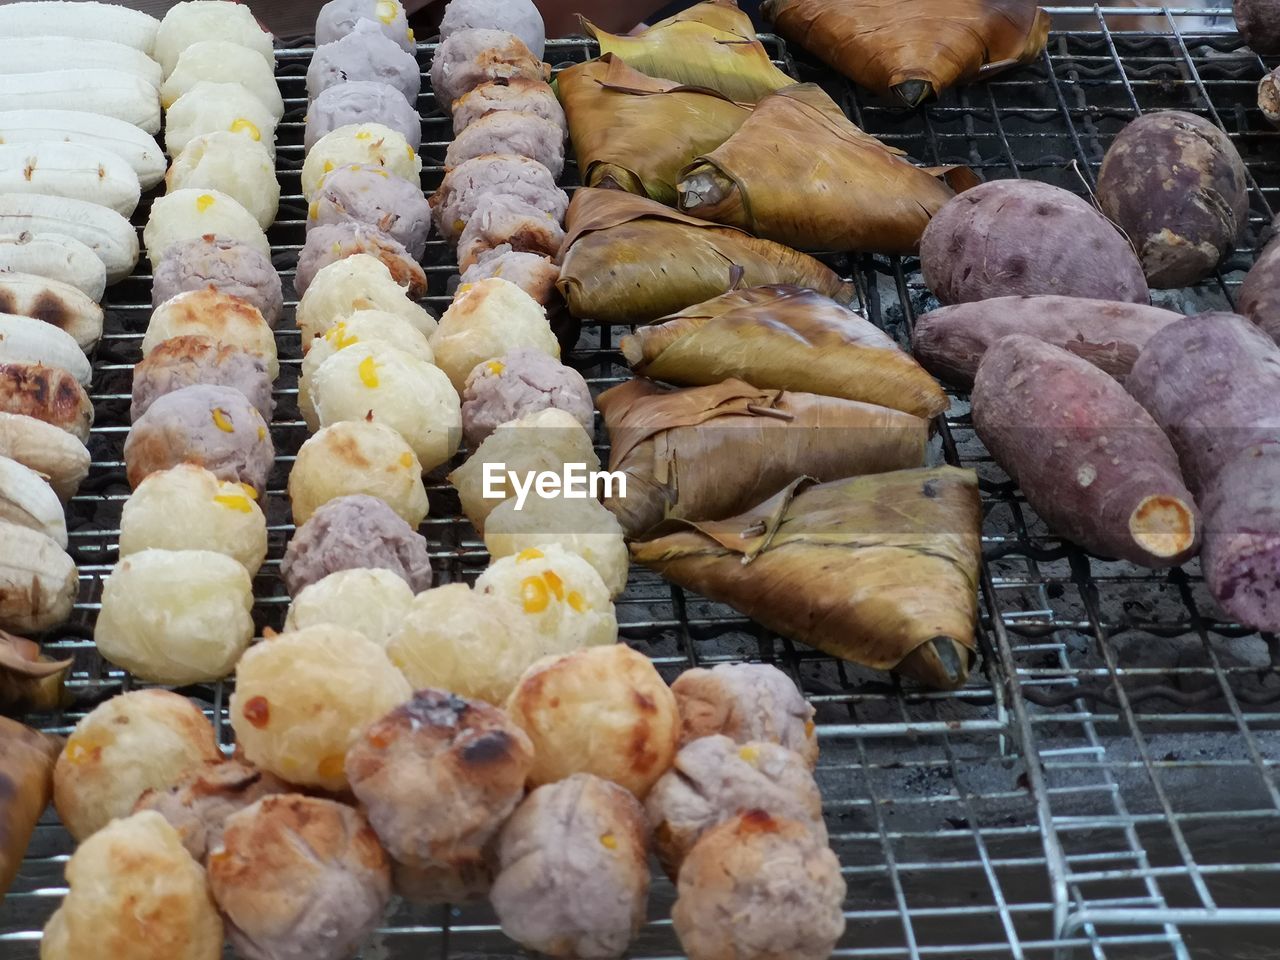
x,y
227,321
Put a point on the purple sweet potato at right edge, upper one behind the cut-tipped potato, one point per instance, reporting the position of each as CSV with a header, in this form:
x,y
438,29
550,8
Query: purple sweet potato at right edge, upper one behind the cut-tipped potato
x,y
1213,383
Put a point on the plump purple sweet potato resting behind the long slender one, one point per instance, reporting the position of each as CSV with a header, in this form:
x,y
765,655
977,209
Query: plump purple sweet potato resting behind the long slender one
x,y
1022,239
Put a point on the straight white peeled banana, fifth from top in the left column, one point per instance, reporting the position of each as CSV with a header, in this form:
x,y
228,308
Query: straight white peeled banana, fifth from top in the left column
x,y
72,171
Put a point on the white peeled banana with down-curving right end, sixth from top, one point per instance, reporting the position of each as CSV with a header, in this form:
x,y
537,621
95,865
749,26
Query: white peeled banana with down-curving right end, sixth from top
x,y
103,231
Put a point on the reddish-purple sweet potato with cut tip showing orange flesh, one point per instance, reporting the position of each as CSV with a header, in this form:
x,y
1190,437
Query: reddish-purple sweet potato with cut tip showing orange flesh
x,y
1087,456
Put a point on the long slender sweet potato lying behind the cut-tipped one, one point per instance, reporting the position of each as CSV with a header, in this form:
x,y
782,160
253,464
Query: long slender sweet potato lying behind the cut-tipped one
x,y
952,342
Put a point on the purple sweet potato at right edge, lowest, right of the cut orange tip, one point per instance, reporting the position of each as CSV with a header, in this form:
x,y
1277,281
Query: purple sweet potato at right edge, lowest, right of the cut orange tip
x,y
1242,538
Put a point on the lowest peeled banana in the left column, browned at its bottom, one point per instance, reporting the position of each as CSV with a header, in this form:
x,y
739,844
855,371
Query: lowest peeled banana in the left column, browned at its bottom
x,y
39,582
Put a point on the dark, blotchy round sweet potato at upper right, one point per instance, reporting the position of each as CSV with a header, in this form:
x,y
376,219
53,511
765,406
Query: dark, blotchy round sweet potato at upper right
x,y
1177,186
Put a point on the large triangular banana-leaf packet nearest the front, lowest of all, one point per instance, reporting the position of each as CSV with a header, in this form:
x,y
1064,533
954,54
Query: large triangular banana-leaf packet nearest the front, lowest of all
x,y
877,570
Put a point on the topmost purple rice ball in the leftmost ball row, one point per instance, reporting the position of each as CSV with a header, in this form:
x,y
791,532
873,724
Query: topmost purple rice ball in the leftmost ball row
x,y
227,266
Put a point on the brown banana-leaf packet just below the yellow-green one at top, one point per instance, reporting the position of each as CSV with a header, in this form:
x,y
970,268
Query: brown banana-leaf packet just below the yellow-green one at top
x,y
636,134
